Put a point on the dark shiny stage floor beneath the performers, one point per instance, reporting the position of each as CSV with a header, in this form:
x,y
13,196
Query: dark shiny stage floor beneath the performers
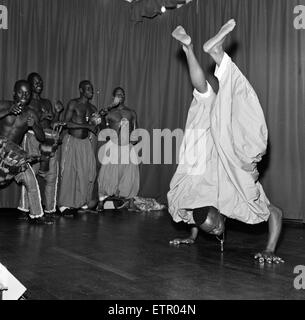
x,y
126,255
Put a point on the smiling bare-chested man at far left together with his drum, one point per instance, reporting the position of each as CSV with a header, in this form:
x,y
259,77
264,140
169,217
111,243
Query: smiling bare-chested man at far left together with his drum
x,y
16,118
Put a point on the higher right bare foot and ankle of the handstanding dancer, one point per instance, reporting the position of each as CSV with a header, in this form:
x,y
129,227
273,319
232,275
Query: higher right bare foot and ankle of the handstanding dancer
x,y
214,45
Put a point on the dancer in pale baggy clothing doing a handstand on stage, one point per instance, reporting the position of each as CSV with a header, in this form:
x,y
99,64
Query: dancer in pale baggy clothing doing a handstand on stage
x,y
224,181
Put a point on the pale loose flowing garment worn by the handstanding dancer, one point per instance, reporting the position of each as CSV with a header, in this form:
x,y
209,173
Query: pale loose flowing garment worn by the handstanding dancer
x,y
225,137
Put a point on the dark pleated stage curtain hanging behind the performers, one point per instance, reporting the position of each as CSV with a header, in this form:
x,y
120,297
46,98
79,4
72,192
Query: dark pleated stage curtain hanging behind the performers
x,y
67,41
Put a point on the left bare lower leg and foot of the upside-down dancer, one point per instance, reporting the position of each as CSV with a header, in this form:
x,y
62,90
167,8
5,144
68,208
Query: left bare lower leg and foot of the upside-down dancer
x,y
196,73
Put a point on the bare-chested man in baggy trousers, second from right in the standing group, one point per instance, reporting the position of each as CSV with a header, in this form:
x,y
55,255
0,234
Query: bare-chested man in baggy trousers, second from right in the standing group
x,y
78,163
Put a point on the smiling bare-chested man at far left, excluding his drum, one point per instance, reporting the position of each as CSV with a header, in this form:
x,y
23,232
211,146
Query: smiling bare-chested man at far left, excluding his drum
x,y
16,119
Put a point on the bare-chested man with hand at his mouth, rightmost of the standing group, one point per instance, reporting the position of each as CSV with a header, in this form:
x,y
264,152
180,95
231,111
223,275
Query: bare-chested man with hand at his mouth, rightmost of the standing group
x,y
120,176
